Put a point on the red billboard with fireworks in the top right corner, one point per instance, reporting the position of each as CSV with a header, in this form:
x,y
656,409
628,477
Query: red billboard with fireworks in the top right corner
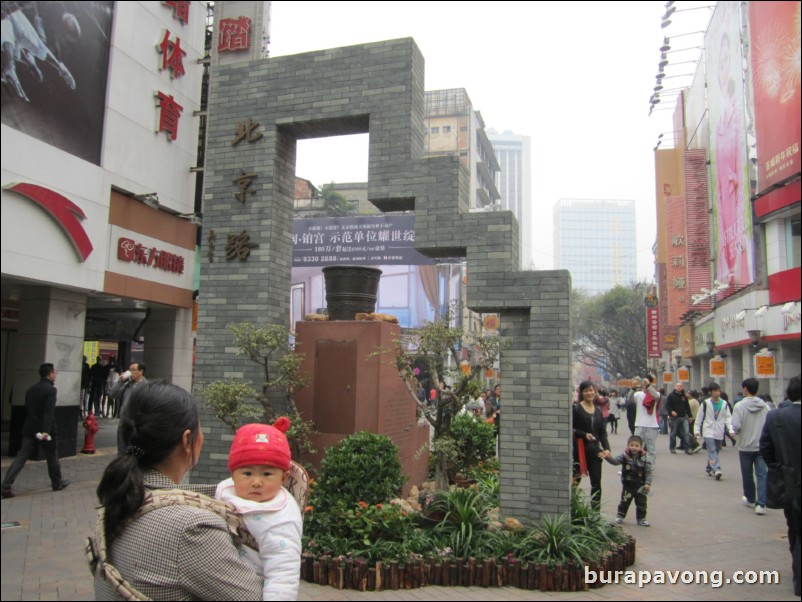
x,y
774,31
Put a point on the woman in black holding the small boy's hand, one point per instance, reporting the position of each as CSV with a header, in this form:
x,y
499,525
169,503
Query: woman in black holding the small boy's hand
x,y
590,439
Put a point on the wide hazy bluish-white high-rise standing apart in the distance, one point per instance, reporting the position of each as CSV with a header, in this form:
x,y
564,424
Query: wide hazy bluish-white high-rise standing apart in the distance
x,y
595,241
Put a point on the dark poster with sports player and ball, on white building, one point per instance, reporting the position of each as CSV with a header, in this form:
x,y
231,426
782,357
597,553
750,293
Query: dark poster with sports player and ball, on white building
x,y
55,66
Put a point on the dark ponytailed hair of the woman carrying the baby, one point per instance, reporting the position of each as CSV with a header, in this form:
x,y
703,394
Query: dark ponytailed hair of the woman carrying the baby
x,y
154,420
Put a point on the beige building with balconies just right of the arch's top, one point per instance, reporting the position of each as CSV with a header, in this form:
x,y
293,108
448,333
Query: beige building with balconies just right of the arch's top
x,y
454,128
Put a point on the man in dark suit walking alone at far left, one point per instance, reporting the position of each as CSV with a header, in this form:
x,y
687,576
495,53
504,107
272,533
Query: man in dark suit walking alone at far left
x,y
39,426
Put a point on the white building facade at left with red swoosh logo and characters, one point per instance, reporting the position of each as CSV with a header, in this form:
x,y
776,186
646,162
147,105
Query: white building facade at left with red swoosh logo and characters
x,y
98,197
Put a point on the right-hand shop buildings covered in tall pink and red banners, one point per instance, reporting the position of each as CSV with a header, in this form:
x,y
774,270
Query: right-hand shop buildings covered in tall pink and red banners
x,y
728,207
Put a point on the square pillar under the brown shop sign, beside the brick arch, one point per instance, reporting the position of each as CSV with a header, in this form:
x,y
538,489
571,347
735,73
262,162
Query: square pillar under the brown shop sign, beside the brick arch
x,y
168,345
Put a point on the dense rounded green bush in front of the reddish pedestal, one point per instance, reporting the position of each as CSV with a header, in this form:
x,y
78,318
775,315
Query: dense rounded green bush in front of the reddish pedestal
x,y
362,467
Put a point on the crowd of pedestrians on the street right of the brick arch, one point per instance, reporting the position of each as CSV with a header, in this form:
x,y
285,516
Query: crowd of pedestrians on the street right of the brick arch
x,y
767,439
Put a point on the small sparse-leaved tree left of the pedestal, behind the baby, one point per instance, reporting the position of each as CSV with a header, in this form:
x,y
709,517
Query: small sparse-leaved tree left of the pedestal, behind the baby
x,y
233,401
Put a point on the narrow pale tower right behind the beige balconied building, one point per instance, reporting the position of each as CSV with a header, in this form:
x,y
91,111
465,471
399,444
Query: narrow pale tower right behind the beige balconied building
x,y
514,155
